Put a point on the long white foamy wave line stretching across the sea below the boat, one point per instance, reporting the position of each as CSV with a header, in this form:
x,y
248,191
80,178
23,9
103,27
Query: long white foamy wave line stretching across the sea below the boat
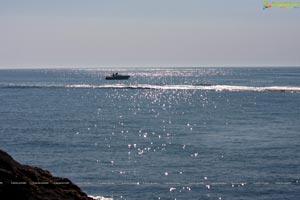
x,y
160,87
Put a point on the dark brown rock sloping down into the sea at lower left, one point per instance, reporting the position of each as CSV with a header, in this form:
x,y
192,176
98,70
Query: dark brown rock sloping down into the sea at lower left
x,y
22,182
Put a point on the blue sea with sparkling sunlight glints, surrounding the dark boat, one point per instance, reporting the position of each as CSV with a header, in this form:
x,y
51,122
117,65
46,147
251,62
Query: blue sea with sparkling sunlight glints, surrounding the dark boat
x,y
215,133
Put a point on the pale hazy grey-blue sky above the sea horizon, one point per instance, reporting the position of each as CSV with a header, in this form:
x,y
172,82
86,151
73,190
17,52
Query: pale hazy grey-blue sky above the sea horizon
x,y
146,33
